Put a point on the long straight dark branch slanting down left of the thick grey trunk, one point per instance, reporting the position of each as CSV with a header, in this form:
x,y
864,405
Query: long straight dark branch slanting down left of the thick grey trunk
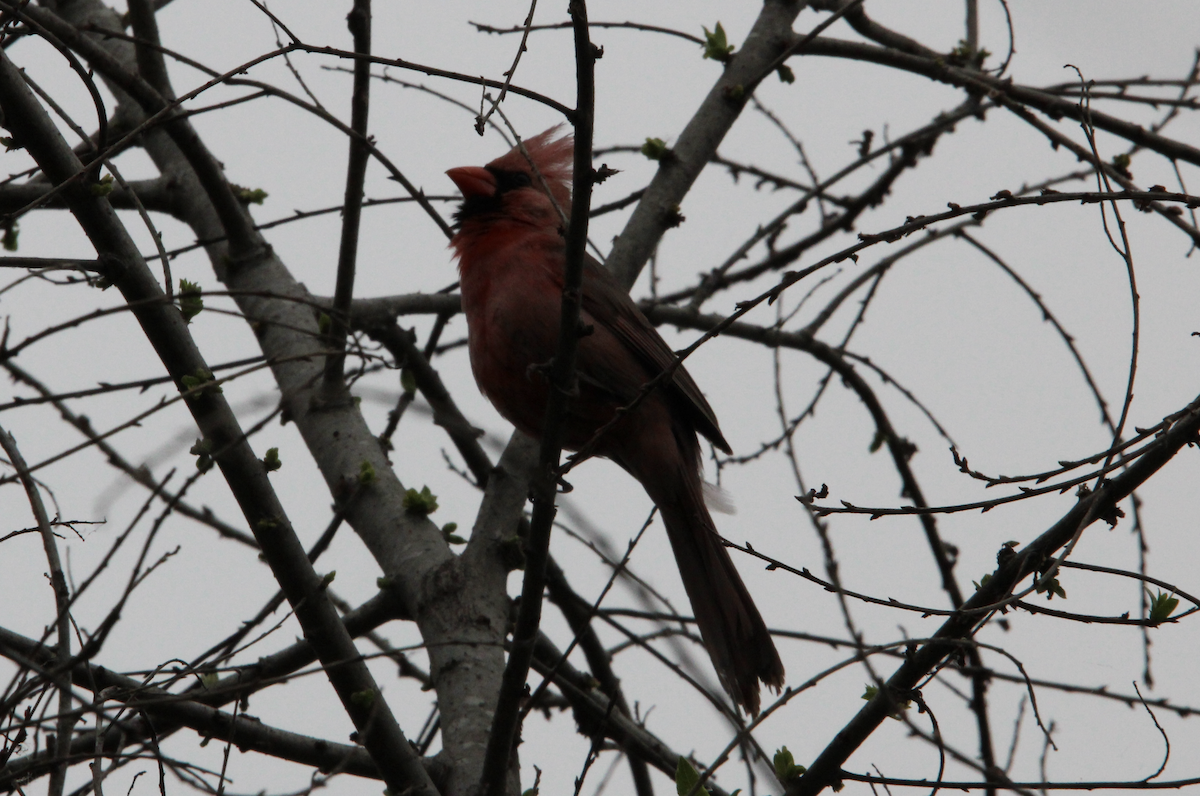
x,y
167,332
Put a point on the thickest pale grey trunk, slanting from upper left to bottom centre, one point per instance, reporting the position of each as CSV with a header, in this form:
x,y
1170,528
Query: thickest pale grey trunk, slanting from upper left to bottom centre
x,y
436,588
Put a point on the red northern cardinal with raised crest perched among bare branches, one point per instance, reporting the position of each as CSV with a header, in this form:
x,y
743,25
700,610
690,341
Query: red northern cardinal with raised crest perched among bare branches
x,y
512,255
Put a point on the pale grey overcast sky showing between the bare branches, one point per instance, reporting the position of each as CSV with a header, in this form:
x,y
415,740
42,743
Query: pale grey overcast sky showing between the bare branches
x,y
947,325
